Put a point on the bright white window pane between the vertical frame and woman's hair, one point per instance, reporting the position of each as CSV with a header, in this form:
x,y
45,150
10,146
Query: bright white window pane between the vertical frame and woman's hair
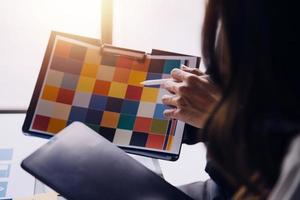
x,y
173,25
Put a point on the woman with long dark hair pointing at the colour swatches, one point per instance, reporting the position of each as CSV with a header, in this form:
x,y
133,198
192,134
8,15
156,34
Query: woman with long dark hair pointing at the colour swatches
x,y
248,106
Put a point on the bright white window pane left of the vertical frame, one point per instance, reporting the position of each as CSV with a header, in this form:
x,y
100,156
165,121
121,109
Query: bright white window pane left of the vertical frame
x,y
25,27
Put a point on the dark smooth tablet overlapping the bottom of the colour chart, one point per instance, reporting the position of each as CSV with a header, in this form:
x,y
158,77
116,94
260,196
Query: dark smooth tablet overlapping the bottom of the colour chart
x,y
78,163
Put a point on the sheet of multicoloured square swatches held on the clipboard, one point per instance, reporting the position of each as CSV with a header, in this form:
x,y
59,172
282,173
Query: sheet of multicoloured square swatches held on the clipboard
x,y
104,92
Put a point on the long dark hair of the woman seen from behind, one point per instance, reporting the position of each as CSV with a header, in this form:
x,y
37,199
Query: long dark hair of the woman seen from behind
x,y
249,49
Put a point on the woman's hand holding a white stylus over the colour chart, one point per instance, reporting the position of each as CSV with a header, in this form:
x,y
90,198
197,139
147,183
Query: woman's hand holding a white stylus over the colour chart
x,y
193,96
